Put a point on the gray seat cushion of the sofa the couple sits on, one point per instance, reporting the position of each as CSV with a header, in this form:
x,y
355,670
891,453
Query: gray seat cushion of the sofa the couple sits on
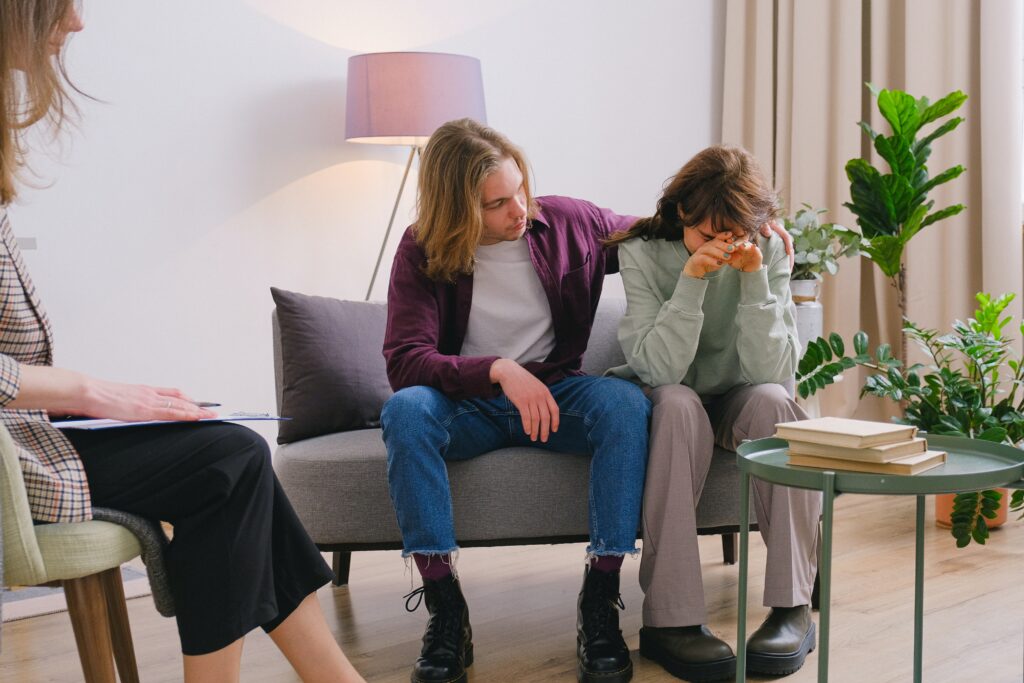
x,y
338,486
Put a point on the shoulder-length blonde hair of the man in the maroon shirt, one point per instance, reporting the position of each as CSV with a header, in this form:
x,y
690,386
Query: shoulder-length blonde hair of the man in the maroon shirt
x,y
459,157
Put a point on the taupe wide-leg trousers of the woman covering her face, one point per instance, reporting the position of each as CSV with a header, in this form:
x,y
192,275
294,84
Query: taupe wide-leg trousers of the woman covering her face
x,y
682,439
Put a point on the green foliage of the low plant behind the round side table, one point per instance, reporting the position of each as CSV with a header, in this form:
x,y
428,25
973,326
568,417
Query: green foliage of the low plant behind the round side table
x,y
968,389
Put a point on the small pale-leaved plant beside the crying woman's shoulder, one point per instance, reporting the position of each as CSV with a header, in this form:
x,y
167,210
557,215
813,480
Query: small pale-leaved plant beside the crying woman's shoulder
x,y
819,246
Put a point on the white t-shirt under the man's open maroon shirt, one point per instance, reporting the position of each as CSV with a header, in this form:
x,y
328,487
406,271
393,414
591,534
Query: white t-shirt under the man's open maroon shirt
x,y
509,316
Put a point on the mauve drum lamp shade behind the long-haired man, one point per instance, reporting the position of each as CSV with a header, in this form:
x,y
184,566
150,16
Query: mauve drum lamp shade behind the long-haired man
x,y
403,98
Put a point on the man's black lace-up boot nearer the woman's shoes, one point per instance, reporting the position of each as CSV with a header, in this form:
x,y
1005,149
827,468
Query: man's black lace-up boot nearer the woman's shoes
x,y
601,649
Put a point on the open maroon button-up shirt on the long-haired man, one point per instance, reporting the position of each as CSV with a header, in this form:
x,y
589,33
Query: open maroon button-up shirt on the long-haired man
x,y
428,320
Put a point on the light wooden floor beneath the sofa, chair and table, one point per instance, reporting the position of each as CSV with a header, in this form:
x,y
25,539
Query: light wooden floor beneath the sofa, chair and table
x,y
523,604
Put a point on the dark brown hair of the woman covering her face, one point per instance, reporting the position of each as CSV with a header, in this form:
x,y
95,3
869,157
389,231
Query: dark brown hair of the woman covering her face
x,y
723,184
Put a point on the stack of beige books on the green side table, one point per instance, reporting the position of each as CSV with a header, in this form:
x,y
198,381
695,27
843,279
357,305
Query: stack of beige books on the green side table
x,y
859,446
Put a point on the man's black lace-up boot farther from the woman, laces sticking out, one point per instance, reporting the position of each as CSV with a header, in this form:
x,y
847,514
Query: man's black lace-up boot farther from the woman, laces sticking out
x,y
448,643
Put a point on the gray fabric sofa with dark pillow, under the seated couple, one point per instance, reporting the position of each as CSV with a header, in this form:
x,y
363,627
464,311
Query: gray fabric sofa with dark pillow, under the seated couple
x,y
328,362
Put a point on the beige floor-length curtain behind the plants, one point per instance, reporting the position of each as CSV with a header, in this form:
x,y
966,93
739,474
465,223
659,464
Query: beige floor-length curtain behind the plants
x,y
793,95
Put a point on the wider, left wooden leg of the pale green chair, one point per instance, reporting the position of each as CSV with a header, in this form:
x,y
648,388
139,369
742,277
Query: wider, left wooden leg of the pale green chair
x,y
93,632
